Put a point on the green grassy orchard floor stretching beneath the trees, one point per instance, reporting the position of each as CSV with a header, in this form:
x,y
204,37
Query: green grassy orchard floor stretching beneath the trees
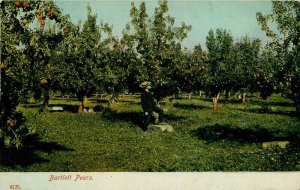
x,y
110,139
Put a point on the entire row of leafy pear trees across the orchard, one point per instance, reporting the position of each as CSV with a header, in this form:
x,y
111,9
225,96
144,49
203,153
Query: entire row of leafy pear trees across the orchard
x,y
43,51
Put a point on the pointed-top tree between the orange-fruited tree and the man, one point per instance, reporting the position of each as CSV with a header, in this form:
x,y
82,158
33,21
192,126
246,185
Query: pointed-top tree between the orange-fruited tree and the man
x,y
76,62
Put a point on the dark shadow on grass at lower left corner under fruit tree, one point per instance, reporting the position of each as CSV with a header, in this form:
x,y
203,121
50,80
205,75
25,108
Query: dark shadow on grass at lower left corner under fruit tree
x,y
28,155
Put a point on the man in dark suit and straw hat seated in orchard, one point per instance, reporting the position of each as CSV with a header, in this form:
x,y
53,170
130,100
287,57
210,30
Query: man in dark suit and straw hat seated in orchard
x,y
149,106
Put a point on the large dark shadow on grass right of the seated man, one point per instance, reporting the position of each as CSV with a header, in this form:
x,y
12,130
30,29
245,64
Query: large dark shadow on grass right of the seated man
x,y
216,132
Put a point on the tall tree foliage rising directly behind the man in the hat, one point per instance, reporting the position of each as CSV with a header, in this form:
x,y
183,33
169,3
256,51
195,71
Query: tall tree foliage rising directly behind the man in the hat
x,y
158,46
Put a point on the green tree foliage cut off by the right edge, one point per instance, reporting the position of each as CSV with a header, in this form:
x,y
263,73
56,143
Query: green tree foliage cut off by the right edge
x,y
285,44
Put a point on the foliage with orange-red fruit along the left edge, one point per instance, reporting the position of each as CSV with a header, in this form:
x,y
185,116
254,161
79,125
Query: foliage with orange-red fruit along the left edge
x,y
22,61
